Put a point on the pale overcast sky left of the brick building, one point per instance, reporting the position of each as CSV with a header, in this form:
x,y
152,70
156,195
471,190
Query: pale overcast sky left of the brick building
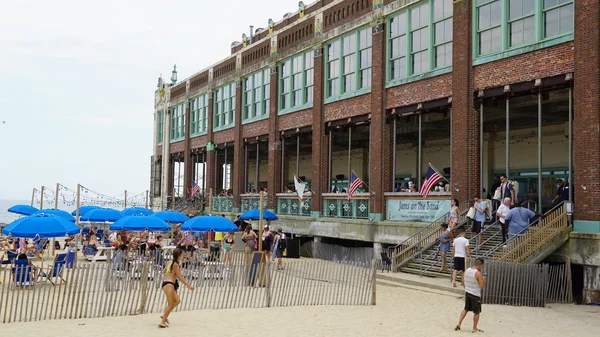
x,y
77,81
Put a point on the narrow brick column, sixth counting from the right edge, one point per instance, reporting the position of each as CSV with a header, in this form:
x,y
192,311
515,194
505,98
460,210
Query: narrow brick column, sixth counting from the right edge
x,y
238,151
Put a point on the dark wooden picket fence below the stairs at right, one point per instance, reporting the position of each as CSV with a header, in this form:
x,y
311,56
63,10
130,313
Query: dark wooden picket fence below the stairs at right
x,y
531,285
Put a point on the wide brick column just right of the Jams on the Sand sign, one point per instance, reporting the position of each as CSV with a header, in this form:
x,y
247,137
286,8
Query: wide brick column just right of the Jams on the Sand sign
x,y
465,119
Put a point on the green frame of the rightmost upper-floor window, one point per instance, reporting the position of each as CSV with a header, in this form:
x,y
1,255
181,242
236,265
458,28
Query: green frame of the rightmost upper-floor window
x,y
506,50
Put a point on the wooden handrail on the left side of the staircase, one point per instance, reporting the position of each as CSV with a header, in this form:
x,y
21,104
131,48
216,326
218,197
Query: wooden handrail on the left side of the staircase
x,y
409,248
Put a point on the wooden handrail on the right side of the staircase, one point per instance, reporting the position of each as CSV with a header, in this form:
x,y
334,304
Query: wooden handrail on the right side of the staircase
x,y
533,237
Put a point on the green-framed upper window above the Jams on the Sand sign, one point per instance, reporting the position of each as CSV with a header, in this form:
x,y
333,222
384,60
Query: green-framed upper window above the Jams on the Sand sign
x,y
420,40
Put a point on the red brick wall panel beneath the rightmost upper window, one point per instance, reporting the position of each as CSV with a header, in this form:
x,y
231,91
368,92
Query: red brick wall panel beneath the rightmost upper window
x,y
525,67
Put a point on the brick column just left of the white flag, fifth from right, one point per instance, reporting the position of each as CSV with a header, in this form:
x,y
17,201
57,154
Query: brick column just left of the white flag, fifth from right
x,y
274,156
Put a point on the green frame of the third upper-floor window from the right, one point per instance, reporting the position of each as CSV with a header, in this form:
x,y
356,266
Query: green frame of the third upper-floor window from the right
x,y
340,58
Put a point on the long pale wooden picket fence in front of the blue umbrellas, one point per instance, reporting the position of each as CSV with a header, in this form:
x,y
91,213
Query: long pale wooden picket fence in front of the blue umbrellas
x,y
97,290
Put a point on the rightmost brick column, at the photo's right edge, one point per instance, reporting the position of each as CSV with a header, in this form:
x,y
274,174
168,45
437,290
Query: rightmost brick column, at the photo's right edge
x,y
586,121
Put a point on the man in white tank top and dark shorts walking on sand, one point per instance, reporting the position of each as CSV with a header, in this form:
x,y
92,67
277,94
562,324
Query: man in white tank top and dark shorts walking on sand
x,y
475,281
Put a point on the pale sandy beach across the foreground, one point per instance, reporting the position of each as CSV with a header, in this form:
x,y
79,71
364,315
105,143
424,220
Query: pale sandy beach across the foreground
x,y
399,312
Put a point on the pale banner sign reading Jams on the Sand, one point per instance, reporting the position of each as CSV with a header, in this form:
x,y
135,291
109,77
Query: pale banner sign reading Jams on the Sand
x,y
416,210
